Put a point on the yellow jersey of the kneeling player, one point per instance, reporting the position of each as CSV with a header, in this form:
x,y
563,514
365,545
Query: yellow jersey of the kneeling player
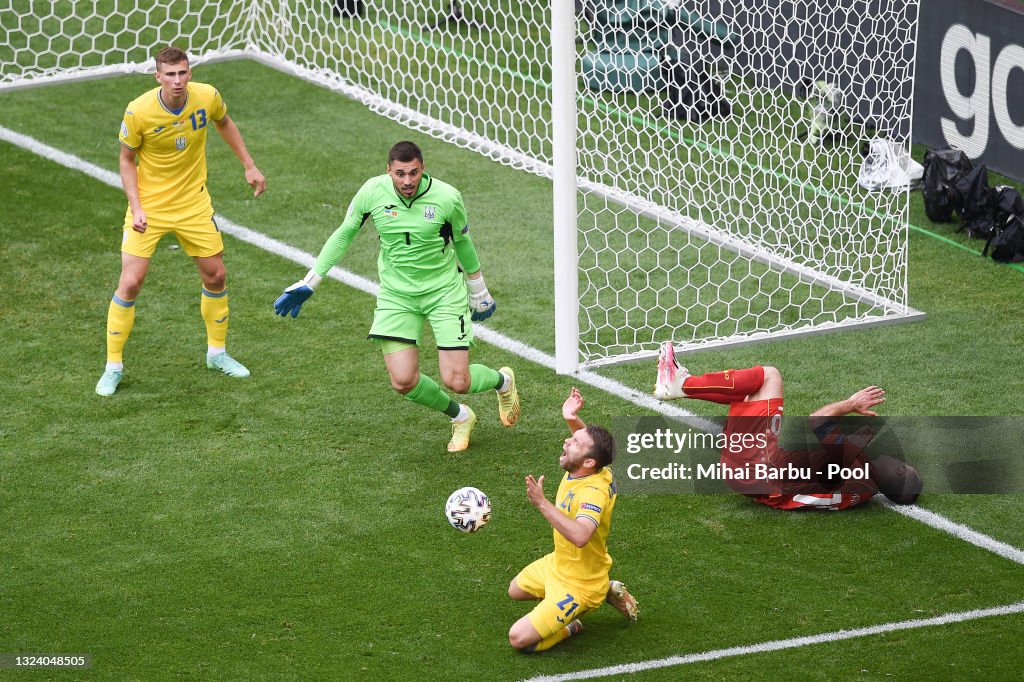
x,y
591,500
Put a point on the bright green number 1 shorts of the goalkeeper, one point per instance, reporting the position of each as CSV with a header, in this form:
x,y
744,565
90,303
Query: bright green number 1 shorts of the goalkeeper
x,y
399,318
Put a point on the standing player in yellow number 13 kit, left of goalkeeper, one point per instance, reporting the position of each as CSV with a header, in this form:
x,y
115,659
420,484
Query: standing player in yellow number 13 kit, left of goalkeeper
x,y
163,170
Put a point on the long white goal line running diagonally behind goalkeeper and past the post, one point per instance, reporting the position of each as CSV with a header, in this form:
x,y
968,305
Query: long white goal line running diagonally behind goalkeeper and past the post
x,y
495,338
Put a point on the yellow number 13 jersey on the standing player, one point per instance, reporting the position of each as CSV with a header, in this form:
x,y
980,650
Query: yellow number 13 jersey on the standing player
x,y
172,148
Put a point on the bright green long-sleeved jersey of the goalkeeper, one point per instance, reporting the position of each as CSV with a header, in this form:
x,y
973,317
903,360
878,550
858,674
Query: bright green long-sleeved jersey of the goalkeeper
x,y
420,238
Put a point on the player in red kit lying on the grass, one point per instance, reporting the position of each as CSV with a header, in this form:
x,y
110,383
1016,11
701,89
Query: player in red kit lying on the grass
x,y
755,400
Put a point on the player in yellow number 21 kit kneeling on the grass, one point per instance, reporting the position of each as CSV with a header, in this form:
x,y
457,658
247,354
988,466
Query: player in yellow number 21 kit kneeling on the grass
x,y
574,579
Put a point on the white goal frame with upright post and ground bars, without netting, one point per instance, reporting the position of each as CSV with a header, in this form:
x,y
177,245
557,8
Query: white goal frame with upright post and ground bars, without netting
x,y
264,30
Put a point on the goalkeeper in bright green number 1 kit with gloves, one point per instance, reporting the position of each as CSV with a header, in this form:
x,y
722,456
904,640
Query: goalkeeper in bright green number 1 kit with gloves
x,y
424,240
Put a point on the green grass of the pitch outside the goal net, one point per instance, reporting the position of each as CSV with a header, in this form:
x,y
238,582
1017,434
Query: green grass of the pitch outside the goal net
x,y
290,527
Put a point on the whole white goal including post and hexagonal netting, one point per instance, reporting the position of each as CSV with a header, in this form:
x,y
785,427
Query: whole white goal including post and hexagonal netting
x,y
704,153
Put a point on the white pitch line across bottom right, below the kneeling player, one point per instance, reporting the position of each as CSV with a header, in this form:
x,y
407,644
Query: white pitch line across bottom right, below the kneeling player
x,y
781,645
